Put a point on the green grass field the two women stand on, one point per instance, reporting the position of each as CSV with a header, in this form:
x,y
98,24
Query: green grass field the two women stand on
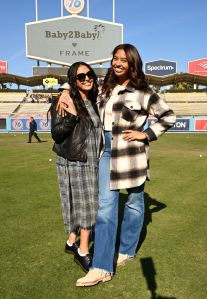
x,y
171,261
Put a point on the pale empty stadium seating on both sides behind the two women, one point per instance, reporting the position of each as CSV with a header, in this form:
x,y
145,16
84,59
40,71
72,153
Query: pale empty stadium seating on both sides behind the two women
x,y
37,104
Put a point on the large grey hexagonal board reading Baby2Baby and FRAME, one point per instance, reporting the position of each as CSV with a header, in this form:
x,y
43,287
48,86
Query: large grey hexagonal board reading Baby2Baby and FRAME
x,y
72,38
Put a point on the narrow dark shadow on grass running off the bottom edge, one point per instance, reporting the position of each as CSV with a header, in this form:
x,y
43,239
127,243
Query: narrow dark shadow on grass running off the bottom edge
x,y
149,272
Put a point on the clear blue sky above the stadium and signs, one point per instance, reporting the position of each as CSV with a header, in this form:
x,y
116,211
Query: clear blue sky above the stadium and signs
x,y
162,29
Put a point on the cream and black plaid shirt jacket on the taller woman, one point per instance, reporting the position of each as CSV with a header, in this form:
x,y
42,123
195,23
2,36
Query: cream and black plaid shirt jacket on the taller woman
x,y
129,164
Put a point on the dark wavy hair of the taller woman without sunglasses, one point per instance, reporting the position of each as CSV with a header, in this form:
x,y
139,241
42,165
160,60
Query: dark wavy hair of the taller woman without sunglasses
x,y
136,74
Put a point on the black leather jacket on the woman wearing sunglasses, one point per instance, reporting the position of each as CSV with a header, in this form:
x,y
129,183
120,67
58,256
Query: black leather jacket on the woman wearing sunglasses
x,y
70,136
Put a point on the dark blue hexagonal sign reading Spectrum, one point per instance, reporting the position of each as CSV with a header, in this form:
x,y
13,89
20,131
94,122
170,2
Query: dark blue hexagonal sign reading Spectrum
x,y
160,68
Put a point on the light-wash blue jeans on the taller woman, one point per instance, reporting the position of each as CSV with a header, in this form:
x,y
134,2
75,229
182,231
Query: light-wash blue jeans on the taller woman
x,y
107,218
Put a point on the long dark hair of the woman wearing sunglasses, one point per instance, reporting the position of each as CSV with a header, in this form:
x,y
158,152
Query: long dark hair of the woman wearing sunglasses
x,y
74,91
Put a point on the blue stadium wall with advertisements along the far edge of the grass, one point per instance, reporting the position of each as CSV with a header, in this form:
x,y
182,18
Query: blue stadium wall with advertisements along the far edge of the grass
x,y
183,124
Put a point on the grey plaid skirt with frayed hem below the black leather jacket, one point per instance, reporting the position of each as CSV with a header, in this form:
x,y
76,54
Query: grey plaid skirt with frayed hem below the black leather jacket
x,y
78,186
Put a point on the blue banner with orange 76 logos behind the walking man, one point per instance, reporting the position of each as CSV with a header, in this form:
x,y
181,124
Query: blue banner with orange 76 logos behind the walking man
x,y
22,124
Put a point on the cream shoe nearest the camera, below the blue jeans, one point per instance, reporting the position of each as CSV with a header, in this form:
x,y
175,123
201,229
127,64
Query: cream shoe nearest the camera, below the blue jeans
x,y
93,277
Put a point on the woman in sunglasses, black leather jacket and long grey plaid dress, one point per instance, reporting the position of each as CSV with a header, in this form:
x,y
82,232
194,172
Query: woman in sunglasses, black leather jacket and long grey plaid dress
x,y
77,136
